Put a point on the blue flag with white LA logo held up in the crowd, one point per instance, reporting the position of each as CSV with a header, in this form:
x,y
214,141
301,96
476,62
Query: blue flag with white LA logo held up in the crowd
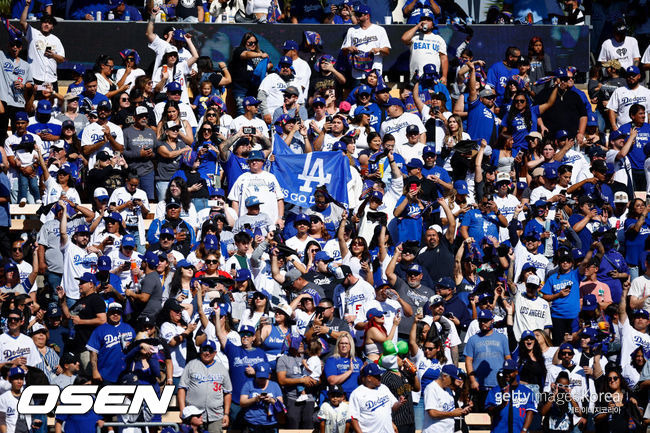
x,y
299,175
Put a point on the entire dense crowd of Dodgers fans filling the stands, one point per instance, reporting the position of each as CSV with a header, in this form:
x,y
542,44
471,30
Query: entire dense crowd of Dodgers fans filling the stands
x,y
488,216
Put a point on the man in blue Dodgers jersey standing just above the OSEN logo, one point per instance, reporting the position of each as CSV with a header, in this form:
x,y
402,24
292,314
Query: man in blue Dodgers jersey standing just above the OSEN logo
x,y
107,344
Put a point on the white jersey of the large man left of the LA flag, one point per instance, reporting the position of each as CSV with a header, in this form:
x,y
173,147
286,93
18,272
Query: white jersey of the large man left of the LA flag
x,y
263,185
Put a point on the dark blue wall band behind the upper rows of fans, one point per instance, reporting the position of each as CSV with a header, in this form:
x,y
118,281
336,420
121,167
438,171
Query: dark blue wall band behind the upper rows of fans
x,y
84,41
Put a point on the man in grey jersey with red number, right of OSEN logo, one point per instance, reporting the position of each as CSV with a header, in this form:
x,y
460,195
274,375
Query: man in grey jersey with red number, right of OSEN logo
x,y
205,384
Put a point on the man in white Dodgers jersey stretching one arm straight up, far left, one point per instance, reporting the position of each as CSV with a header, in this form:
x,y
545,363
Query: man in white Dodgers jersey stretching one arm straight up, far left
x,y
78,257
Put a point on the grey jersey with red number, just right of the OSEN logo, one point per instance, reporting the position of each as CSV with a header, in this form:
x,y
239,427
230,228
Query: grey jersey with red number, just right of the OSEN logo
x,y
205,387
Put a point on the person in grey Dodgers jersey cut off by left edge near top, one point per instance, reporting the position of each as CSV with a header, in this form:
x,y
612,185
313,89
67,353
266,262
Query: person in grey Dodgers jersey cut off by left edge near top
x,y
14,81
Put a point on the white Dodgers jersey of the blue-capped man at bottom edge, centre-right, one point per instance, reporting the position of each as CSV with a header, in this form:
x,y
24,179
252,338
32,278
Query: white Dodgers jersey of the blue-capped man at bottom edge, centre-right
x,y
372,408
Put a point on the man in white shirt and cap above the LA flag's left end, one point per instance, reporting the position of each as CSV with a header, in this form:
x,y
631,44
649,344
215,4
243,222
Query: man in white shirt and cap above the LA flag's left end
x,y
274,86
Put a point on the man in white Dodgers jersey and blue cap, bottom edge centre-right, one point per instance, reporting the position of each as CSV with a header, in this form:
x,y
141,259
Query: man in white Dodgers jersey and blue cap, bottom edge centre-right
x,y
372,404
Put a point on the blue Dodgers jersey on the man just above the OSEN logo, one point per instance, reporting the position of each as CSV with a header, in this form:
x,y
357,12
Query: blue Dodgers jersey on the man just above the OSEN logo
x,y
109,341
